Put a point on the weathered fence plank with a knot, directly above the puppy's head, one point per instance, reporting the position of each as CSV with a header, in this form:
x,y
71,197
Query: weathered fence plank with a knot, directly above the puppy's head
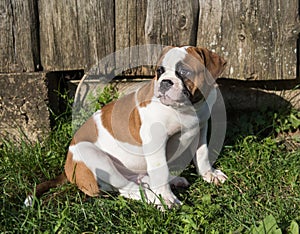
x,y
171,22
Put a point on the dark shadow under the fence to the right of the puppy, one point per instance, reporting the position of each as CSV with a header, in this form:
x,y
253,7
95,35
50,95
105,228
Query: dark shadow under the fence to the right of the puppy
x,y
252,111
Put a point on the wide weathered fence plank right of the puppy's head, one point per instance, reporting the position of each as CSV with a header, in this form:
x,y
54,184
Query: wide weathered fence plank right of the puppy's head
x,y
257,38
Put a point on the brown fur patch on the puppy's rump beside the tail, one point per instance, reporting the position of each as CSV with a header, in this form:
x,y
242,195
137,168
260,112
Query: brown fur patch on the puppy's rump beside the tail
x,y
81,175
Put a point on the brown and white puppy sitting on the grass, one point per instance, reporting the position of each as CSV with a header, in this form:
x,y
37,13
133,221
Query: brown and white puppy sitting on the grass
x,y
135,143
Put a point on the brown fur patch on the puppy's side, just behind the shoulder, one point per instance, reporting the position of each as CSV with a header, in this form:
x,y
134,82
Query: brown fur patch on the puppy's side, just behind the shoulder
x,y
122,120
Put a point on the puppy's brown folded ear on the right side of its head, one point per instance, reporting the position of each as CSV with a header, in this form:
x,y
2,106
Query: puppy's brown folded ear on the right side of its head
x,y
214,63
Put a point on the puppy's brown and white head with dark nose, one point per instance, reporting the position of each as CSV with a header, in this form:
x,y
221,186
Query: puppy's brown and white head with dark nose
x,y
186,74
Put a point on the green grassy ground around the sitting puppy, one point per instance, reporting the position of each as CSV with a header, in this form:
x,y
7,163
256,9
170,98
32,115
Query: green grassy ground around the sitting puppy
x,y
260,157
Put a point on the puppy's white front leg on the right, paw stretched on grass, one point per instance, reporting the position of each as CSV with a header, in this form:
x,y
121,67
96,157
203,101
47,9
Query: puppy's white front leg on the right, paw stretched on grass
x,y
204,163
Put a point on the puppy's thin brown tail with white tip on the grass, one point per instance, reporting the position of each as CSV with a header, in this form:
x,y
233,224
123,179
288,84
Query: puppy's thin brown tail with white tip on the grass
x,y
45,186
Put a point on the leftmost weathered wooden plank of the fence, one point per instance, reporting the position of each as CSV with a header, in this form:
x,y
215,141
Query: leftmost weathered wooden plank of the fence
x,y
19,36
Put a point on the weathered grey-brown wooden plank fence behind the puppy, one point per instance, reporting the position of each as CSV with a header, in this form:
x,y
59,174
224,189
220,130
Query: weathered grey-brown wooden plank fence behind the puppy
x,y
257,38
